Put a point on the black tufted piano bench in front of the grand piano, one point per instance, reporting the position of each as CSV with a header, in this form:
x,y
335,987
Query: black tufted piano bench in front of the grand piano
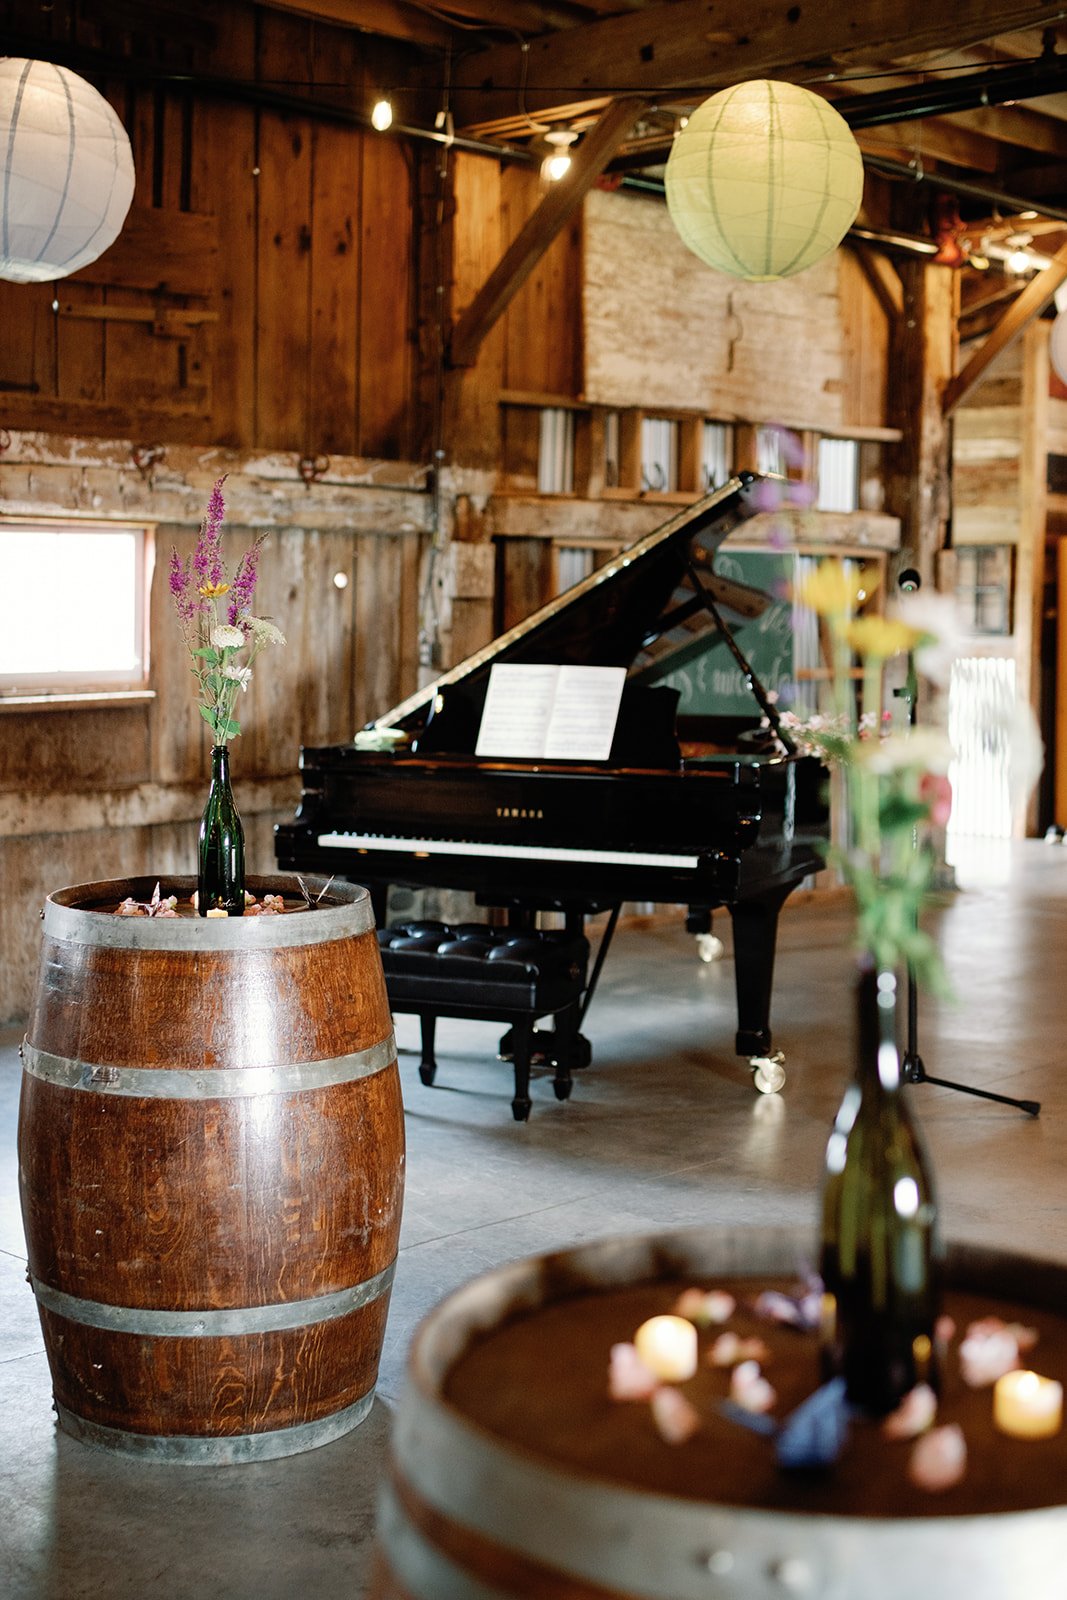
x,y
495,975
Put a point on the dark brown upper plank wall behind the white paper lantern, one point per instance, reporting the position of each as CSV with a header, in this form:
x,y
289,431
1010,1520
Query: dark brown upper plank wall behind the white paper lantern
x,y
262,294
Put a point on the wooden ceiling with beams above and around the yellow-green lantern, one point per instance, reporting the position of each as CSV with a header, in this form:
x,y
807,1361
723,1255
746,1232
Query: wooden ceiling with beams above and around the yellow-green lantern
x,y
961,106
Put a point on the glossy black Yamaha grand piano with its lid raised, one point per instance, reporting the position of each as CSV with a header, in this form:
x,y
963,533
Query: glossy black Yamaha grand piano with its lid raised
x,y
701,814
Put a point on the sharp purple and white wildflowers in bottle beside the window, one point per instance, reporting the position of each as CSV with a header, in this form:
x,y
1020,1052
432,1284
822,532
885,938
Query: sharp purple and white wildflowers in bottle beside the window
x,y
218,626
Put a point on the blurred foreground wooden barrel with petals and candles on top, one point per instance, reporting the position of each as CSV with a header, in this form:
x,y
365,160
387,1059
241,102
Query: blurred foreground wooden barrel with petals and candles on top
x,y
514,1474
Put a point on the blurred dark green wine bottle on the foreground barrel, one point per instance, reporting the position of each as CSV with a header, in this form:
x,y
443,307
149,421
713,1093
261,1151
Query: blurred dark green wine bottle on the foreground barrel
x,y
881,1252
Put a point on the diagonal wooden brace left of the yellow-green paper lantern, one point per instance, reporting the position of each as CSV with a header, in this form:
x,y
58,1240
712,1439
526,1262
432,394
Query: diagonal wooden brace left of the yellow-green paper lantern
x,y
540,230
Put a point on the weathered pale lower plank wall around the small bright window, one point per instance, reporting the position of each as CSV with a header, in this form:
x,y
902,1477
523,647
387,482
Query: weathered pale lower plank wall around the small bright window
x,y
110,790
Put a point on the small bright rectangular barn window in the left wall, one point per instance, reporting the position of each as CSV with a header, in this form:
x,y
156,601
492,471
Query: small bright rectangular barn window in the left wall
x,y
78,607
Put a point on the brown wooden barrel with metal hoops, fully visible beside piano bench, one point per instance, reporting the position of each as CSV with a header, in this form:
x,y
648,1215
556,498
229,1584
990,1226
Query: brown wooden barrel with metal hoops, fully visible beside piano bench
x,y
212,1170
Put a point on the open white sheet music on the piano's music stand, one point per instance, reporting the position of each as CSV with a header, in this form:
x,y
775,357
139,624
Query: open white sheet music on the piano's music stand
x,y
559,713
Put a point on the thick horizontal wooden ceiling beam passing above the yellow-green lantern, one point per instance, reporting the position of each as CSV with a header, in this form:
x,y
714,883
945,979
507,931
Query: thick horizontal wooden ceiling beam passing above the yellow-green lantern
x,y
687,42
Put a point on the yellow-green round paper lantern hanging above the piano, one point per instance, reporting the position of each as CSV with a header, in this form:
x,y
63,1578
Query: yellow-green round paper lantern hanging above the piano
x,y
764,180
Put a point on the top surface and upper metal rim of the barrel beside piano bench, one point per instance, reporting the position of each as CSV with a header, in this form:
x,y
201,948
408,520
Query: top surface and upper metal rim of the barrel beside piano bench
x,y
86,914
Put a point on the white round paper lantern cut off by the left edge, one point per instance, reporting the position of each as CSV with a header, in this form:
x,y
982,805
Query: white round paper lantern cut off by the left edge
x,y
66,172
